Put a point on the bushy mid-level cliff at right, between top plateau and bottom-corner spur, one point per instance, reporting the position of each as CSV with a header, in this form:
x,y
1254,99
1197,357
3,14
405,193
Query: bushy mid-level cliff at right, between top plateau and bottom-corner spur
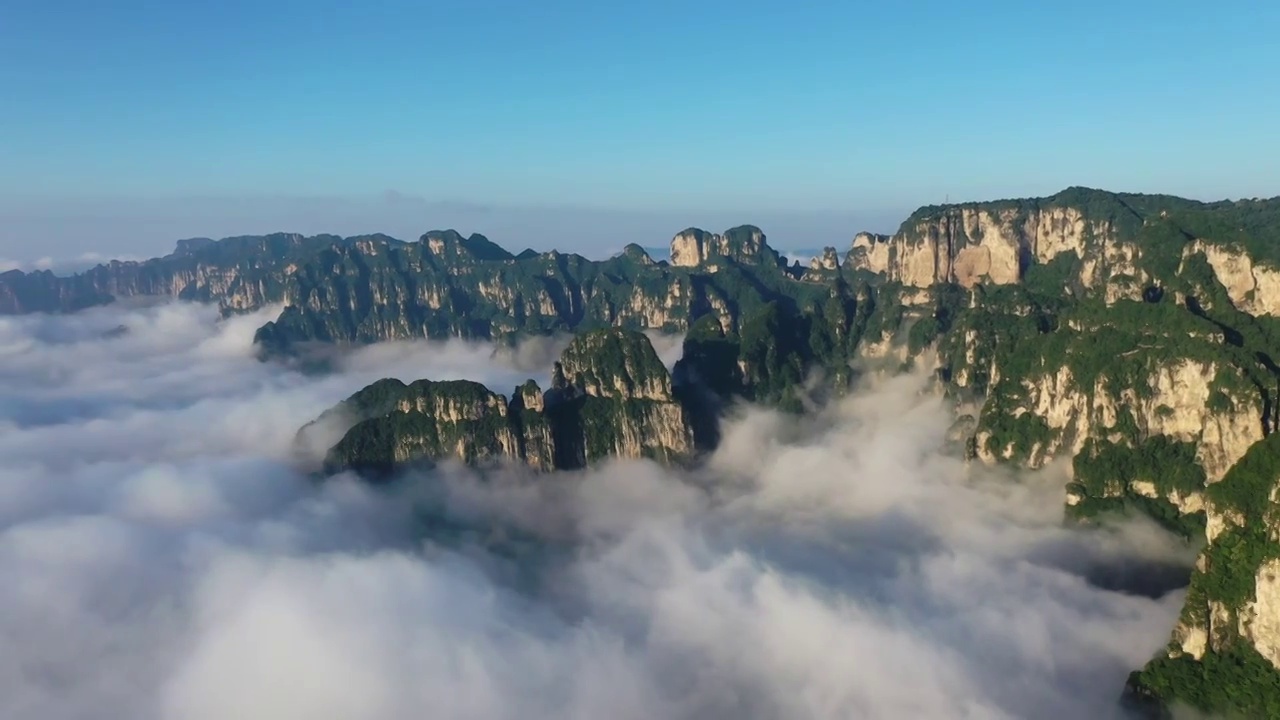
x,y
1150,400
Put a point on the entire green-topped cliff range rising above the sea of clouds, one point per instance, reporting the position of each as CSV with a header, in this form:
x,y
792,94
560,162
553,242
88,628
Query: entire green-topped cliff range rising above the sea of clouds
x,y
1133,338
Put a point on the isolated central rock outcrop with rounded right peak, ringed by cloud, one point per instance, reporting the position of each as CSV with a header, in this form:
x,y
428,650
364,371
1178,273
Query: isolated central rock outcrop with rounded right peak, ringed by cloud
x,y
612,398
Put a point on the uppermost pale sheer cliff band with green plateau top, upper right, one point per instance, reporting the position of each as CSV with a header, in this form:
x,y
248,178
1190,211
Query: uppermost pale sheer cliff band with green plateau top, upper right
x,y
1112,247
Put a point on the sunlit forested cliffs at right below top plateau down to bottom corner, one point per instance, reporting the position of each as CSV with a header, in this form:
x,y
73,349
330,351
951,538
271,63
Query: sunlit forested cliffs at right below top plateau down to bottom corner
x,y
1164,405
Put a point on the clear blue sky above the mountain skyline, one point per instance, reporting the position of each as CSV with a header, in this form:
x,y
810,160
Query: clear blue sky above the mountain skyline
x,y
129,124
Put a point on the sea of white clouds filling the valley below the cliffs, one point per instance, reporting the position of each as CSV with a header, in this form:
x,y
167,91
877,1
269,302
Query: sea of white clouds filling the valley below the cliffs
x,y
166,559
